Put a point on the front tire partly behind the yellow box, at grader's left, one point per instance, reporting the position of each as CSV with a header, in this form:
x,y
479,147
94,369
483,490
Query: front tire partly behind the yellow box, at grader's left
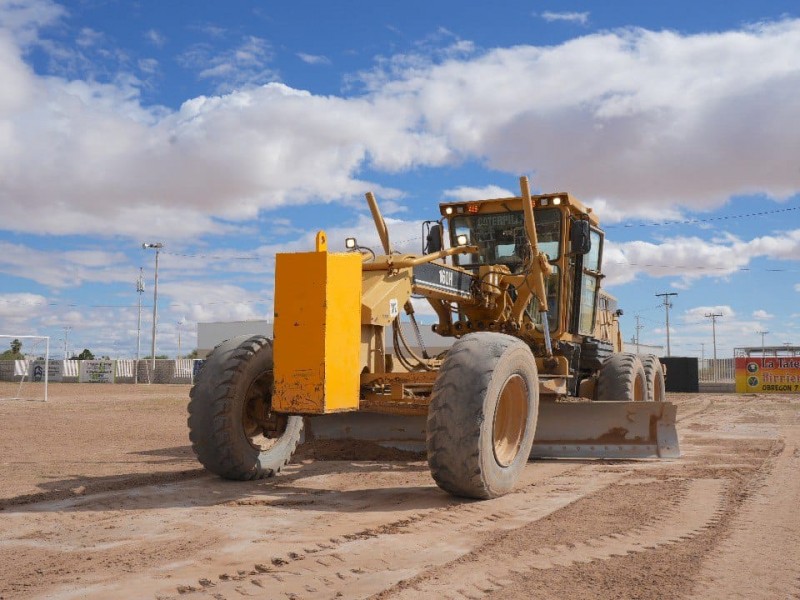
x,y
230,391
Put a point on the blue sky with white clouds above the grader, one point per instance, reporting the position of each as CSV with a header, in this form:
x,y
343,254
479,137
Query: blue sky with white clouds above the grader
x,y
232,131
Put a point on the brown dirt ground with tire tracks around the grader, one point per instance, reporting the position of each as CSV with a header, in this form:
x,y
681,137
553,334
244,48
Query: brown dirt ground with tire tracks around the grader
x,y
100,497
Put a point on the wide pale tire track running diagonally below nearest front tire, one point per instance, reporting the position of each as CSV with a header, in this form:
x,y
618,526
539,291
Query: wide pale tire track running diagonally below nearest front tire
x,y
359,565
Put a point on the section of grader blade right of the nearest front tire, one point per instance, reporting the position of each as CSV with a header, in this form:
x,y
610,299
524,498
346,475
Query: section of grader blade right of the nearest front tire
x,y
606,430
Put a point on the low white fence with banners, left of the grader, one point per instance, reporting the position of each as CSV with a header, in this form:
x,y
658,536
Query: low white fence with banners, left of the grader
x,y
103,371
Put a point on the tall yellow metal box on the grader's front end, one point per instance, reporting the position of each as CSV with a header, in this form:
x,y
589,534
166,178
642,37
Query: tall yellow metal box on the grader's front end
x,y
317,331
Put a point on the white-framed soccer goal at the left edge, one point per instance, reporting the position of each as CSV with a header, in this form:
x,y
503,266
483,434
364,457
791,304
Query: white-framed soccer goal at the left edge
x,y
25,378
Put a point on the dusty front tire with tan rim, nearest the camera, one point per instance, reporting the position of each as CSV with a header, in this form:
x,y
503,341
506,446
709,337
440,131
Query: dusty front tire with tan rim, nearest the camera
x,y
482,415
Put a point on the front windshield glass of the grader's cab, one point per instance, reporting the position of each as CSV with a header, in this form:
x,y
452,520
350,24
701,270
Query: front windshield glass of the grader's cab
x,y
501,238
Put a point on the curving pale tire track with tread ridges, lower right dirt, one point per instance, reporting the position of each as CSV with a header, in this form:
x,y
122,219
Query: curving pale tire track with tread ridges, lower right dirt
x,y
484,571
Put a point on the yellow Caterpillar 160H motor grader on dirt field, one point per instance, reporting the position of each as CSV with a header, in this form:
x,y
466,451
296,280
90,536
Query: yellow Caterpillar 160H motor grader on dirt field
x,y
536,368
